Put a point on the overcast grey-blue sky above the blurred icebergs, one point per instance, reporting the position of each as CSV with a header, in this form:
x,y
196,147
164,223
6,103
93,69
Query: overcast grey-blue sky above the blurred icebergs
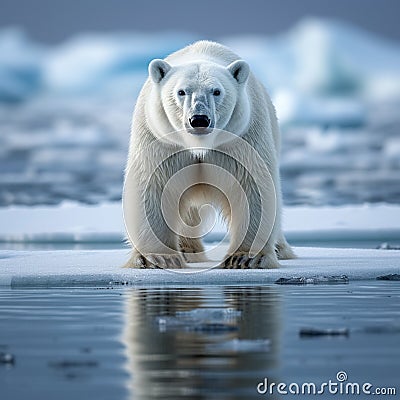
x,y
55,20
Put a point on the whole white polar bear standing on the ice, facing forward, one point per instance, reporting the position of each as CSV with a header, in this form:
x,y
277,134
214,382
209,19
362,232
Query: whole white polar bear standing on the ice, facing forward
x,y
202,112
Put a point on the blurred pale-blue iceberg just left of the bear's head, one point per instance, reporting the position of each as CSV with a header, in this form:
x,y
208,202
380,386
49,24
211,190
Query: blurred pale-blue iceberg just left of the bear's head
x,y
113,62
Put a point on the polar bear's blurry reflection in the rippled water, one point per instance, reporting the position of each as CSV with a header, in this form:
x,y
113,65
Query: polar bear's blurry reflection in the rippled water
x,y
201,343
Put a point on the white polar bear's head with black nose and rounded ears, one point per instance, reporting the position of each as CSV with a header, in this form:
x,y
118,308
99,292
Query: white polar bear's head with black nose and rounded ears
x,y
198,97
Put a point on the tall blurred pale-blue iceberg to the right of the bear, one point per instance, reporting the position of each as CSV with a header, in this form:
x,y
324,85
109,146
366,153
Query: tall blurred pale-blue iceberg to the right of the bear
x,y
322,57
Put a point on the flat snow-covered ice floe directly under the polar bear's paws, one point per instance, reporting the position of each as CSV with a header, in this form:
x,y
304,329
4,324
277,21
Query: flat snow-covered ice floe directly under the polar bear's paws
x,y
104,268
